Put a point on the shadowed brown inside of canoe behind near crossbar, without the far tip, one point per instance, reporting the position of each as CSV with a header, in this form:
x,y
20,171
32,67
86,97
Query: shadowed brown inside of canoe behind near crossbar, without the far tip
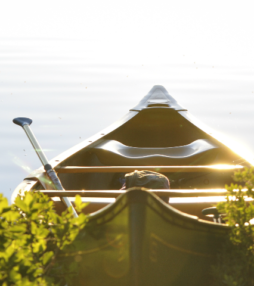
x,y
154,137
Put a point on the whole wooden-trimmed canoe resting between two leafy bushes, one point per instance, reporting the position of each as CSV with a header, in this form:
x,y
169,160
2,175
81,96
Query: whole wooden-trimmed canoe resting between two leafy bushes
x,y
139,239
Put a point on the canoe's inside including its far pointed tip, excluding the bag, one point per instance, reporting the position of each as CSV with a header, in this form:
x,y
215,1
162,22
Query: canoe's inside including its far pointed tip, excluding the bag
x,y
157,136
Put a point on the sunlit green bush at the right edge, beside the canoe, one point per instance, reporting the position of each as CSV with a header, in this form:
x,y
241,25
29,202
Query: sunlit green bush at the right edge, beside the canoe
x,y
235,265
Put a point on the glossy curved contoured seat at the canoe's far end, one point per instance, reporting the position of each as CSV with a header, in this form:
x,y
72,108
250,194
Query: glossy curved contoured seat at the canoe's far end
x,y
114,153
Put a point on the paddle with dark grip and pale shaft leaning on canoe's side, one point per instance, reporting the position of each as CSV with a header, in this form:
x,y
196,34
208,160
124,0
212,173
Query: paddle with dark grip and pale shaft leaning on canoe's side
x,y
25,123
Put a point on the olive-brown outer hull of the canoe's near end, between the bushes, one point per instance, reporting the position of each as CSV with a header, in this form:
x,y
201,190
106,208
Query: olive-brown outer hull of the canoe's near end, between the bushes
x,y
139,240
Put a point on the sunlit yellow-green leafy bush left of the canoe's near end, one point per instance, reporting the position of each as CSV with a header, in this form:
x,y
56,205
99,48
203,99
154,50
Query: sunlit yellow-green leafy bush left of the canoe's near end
x,y
32,236
